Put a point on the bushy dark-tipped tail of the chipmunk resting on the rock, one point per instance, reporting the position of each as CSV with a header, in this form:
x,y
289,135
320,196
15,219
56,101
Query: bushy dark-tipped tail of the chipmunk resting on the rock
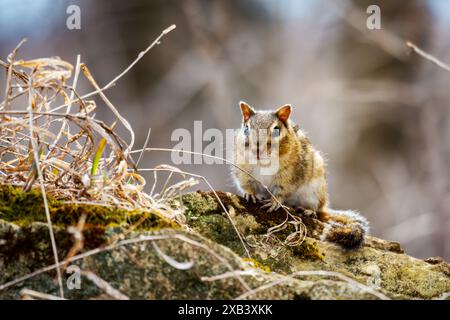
x,y
344,227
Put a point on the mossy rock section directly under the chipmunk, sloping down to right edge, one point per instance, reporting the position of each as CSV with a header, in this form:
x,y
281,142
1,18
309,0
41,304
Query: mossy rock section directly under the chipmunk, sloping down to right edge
x,y
379,263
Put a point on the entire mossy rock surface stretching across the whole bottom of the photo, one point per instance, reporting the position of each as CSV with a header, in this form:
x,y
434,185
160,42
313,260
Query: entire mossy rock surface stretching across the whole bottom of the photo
x,y
207,260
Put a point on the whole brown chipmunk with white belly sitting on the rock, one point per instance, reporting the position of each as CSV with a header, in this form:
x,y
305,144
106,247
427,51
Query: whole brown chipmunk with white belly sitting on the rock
x,y
298,178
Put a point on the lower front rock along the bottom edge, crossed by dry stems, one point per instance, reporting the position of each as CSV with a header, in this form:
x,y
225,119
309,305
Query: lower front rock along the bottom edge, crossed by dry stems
x,y
139,272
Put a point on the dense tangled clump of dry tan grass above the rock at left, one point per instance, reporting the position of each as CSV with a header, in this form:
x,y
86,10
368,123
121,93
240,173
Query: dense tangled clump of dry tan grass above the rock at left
x,y
48,129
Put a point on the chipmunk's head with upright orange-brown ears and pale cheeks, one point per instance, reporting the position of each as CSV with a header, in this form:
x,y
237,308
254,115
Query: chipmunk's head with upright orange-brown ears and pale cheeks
x,y
262,131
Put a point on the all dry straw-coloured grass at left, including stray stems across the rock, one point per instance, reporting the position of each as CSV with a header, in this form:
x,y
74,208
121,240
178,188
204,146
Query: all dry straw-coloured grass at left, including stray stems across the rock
x,y
71,155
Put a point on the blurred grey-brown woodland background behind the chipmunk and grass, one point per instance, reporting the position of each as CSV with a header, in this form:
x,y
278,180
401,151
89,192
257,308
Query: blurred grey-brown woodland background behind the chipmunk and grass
x,y
380,115
